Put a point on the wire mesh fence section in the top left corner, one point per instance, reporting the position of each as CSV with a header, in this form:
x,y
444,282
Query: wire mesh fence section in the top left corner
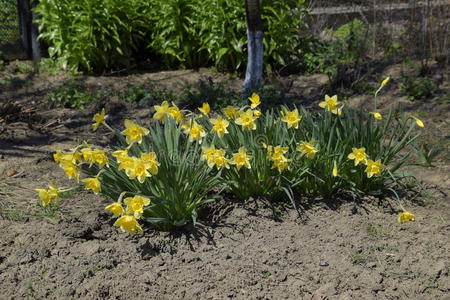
x,y
10,37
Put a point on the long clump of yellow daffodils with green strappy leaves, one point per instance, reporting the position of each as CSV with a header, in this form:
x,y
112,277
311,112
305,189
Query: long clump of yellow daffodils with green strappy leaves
x,y
163,173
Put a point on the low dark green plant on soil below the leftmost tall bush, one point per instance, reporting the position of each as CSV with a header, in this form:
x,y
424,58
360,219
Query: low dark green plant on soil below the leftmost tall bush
x,y
73,94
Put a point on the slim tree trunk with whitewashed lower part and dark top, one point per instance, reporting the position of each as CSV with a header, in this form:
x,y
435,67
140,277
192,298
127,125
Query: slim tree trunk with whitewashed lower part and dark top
x,y
253,74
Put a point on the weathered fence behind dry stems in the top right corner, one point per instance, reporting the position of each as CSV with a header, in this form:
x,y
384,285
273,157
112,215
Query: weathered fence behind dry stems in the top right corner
x,y
419,28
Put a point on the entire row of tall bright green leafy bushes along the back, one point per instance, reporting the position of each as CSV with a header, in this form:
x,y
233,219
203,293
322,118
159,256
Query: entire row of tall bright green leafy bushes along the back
x,y
97,34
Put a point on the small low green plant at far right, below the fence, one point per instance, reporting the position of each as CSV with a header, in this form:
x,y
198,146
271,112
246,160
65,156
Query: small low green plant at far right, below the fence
x,y
417,88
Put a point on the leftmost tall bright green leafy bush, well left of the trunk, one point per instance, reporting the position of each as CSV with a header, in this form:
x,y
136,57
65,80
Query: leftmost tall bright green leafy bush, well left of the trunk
x,y
92,34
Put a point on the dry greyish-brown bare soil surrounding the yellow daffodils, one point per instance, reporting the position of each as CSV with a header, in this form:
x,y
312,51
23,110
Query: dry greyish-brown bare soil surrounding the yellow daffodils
x,y
333,249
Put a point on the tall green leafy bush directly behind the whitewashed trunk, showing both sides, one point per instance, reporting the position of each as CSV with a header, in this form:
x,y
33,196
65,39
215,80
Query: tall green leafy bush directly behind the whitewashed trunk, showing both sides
x,y
215,31
